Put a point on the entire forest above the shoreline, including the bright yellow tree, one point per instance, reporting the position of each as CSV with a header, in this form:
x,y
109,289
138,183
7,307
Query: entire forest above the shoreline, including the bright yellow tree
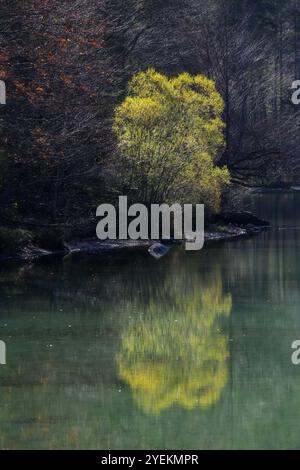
x,y
157,100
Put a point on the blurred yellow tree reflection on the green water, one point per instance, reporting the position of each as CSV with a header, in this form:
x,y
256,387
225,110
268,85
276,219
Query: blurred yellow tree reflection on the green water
x,y
178,356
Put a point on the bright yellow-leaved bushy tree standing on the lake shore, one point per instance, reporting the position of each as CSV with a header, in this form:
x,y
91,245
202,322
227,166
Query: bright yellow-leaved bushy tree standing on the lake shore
x,y
170,131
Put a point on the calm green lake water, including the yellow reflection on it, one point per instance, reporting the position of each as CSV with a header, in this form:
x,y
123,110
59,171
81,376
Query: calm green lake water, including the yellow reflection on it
x,y
126,352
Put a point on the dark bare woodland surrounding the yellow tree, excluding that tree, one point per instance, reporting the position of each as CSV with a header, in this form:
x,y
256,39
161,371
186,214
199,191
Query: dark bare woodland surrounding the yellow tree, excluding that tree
x,y
67,65
